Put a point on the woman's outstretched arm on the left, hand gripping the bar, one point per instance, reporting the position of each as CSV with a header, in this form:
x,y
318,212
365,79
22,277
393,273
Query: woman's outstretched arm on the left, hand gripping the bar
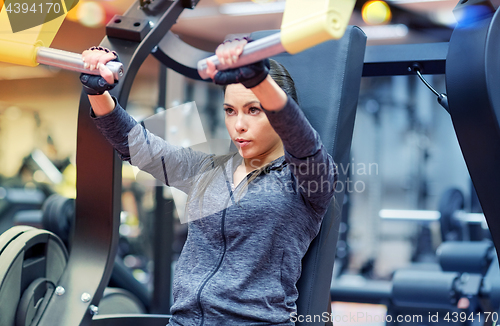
x,y
174,165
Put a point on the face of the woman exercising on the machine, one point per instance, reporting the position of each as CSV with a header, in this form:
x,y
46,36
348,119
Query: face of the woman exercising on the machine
x,y
248,125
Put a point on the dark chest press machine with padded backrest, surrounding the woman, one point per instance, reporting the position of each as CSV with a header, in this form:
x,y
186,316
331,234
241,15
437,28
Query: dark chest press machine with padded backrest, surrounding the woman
x,y
40,284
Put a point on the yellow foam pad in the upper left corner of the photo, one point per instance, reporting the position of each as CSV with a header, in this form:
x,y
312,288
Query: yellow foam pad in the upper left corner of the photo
x,y
21,47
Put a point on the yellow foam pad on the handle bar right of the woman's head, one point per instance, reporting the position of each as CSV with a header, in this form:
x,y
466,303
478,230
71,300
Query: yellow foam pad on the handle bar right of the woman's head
x,y
307,23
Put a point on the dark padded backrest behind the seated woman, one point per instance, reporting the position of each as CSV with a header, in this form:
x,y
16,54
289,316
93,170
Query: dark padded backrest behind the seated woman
x,y
327,78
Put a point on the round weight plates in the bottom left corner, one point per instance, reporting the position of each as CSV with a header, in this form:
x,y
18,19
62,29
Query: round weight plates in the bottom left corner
x,y
32,263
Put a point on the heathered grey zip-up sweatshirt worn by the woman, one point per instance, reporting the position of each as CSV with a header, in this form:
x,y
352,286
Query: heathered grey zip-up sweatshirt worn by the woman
x,y
242,257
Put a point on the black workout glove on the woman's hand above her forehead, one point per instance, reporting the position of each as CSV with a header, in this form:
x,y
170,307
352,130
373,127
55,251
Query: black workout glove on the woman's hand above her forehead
x,y
250,75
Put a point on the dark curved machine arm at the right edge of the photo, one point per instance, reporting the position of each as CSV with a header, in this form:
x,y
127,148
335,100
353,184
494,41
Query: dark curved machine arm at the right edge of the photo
x,y
474,102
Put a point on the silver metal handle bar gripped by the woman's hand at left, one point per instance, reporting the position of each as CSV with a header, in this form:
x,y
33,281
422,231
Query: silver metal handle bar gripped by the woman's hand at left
x,y
73,61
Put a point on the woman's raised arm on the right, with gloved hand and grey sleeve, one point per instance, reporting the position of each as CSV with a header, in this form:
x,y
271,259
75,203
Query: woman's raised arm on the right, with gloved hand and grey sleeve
x,y
314,171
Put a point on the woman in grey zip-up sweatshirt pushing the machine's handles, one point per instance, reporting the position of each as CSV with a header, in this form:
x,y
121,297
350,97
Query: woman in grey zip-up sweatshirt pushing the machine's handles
x,y
253,213
